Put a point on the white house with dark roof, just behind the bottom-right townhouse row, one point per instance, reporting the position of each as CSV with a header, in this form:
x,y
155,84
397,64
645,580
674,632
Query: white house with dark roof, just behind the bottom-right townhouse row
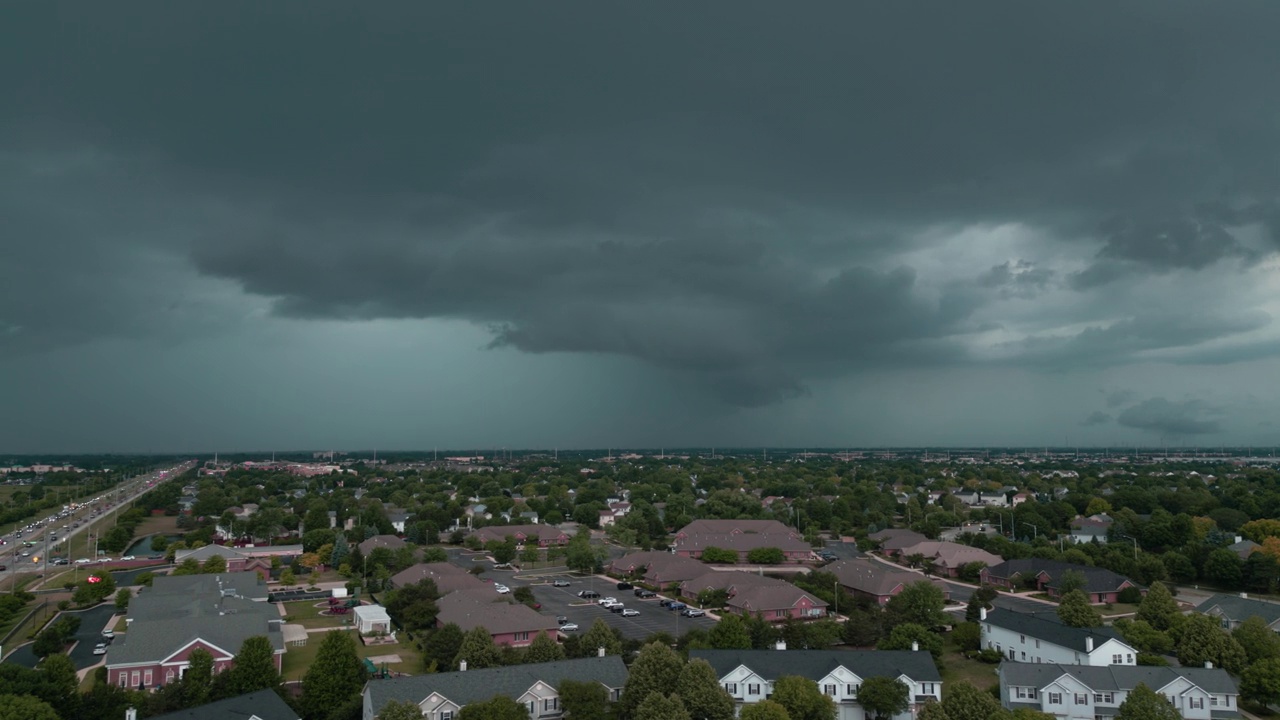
x,y
1041,637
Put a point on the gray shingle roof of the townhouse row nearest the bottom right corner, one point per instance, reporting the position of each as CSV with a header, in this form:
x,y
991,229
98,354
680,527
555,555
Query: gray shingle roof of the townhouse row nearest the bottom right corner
x,y
1117,677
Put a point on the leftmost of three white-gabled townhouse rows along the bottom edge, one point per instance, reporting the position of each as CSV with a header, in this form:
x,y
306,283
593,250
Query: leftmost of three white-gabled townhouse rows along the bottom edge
x,y
442,696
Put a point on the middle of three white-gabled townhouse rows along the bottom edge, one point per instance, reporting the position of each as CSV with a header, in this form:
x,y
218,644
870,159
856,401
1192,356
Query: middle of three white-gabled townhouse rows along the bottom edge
x,y
748,676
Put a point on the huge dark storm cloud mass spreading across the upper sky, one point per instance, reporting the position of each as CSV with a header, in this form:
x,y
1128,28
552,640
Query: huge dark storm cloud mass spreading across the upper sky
x,y
725,195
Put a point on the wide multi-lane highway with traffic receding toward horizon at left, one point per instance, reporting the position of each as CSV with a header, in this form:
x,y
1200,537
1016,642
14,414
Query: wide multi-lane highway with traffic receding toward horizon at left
x,y
12,554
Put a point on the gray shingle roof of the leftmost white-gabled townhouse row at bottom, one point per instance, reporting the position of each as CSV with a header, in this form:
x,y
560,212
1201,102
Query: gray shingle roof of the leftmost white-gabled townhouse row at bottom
x,y
479,686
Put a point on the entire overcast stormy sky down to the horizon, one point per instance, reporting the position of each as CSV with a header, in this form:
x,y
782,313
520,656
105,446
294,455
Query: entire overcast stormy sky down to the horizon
x,y
406,225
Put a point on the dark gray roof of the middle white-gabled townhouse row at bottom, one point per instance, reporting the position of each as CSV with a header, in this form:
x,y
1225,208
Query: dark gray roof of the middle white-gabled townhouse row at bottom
x,y
817,664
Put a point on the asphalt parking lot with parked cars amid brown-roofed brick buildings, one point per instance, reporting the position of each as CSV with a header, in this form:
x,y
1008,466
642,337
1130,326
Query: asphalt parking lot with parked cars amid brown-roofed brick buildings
x,y
652,619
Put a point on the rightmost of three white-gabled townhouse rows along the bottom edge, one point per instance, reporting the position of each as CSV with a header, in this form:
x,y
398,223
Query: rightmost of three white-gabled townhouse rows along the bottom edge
x,y
1087,692
